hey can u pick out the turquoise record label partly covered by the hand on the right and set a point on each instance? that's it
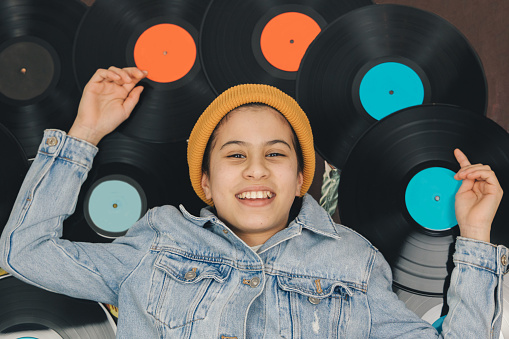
(430, 196)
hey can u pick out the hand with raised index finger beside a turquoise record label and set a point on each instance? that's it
(477, 199)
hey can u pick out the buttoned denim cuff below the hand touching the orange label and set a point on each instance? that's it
(56, 143)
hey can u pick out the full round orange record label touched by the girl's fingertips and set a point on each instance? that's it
(166, 51)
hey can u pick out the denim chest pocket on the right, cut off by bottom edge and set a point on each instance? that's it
(313, 307)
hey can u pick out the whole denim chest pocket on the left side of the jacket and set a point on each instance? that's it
(182, 290)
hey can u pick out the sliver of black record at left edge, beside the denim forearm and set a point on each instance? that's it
(12, 172)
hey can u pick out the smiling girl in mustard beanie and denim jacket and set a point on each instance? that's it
(263, 260)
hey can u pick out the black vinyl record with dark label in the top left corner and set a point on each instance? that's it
(37, 87)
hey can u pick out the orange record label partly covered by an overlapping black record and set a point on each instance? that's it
(285, 39)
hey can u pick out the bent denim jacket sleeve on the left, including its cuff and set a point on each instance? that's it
(30, 246)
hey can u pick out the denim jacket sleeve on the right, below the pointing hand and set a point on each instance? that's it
(474, 297)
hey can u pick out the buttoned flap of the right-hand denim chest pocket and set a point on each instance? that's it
(314, 287)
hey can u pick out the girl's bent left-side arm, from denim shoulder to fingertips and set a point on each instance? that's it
(30, 246)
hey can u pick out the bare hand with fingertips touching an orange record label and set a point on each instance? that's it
(108, 99)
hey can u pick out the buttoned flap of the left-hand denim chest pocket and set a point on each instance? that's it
(188, 270)
